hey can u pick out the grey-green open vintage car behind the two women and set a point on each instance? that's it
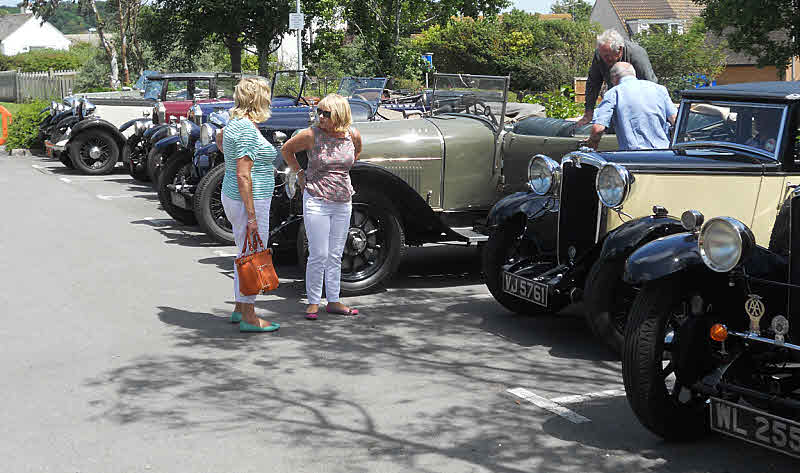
(420, 181)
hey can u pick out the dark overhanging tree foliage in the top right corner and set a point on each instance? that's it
(764, 29)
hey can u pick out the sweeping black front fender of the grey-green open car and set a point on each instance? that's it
(415, 214)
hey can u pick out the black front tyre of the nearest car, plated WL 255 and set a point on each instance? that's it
(644, 372)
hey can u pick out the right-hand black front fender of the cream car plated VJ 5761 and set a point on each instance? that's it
(623, 240)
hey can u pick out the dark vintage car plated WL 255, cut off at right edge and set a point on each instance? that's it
(712, 341)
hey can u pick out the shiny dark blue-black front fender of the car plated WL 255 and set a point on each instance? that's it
(662, 257)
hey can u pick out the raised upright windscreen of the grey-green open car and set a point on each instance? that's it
(474, 95)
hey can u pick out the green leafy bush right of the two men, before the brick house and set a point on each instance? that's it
(680, 59)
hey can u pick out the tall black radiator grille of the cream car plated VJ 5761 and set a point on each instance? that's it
(578, 212)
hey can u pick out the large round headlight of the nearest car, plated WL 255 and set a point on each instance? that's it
(724, 242)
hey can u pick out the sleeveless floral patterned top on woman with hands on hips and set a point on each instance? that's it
(329, 163)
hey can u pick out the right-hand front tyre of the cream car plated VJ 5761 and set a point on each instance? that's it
(607, 299)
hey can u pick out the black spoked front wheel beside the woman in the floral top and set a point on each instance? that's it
(367, 264)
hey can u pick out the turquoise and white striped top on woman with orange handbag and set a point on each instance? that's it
(241, 138)
